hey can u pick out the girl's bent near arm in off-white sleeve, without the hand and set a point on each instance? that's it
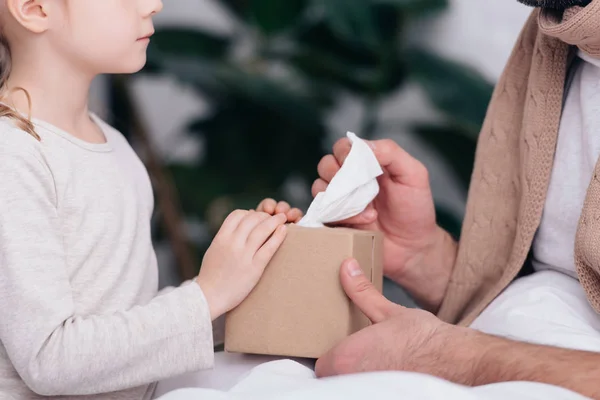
(55, 350)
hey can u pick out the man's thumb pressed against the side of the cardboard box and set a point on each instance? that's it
(362, 292)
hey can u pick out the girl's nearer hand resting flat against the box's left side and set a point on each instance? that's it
(237, 257)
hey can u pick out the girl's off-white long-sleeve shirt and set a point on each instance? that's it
(79, 309)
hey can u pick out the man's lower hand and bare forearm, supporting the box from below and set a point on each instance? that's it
(404, 339)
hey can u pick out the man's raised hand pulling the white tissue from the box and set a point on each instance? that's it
(418, 254)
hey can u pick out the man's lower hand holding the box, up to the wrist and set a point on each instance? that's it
(400, 339)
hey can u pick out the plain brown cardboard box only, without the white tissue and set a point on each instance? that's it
(299, 308)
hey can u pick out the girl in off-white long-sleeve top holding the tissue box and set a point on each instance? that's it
(79, 309)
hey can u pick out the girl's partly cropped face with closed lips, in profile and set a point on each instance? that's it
(102, 36)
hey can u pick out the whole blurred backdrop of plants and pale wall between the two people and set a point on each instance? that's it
(241, 98)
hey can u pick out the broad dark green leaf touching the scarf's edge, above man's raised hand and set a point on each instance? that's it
(455, 89)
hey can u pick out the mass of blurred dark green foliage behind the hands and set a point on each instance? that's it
(271, 83)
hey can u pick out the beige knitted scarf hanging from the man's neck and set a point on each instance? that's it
(513, 164)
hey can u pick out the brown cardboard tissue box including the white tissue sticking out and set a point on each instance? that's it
(299, 308)
